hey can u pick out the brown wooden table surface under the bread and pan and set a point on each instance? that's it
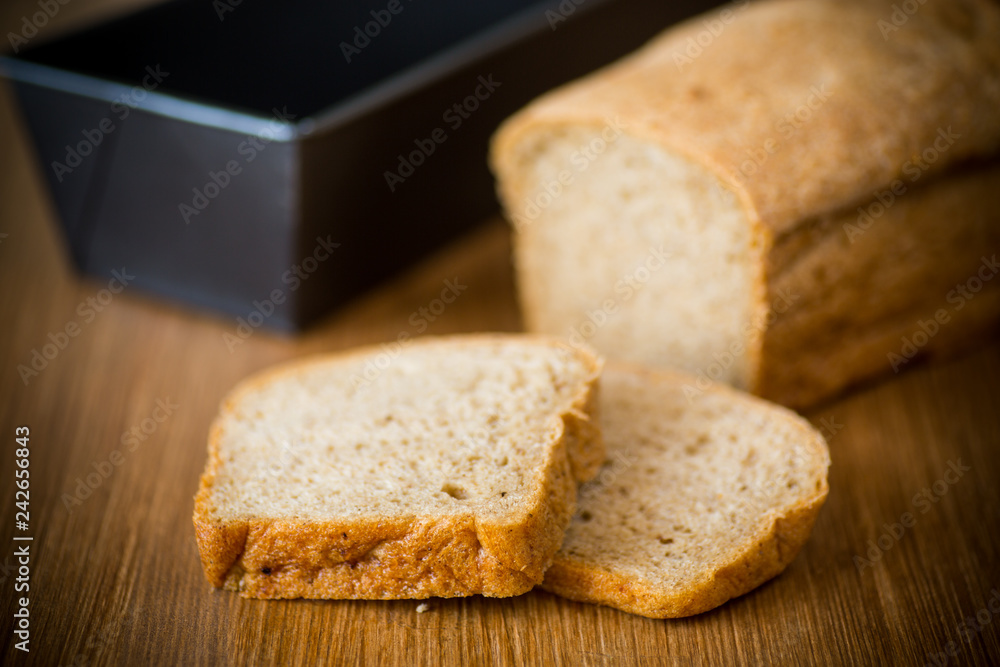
(115, 579)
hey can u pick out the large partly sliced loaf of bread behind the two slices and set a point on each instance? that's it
(790, 196)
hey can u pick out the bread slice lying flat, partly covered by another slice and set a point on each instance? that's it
(699, 501)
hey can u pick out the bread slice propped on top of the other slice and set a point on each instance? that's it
(446, 467)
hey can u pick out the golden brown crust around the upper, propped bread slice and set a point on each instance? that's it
(399, 557)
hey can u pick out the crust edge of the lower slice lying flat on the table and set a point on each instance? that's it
(778, 539)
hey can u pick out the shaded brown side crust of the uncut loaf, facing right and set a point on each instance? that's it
(863, 284)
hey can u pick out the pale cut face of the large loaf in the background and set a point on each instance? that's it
(636, 250)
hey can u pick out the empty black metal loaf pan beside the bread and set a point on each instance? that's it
(270, 160)
